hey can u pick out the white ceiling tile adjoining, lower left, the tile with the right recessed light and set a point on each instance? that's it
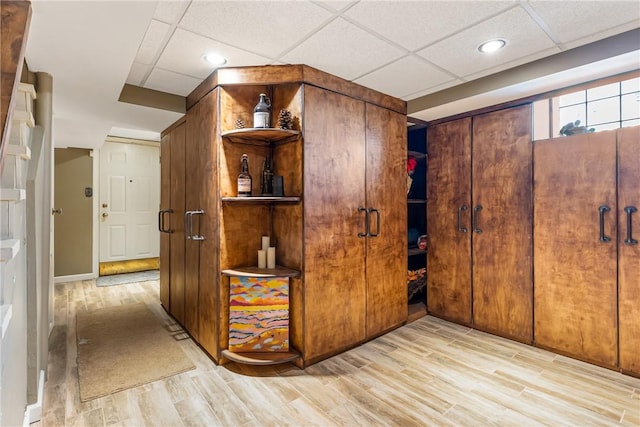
(417, 75)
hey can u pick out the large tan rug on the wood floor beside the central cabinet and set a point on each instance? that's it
(123, 347)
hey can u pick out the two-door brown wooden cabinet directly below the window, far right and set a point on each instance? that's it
(586, 293)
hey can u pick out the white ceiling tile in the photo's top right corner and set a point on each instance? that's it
(569, 21)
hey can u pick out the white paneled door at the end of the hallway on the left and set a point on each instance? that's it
(129, 201)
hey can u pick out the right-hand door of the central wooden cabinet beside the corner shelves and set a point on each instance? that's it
(386, 277)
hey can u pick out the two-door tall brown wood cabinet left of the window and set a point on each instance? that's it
(479, 222)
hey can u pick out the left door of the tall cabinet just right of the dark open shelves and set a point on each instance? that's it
(449, 196)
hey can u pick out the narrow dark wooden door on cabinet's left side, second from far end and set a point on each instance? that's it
(177, 224)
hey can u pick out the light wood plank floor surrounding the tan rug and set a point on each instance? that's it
(429, 372)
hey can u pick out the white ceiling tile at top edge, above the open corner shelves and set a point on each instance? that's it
(267, 28)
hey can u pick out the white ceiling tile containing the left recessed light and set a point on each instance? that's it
(185, 50)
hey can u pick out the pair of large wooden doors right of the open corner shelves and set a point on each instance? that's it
(356, 287)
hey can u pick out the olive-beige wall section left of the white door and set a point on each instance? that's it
(74, 227)
